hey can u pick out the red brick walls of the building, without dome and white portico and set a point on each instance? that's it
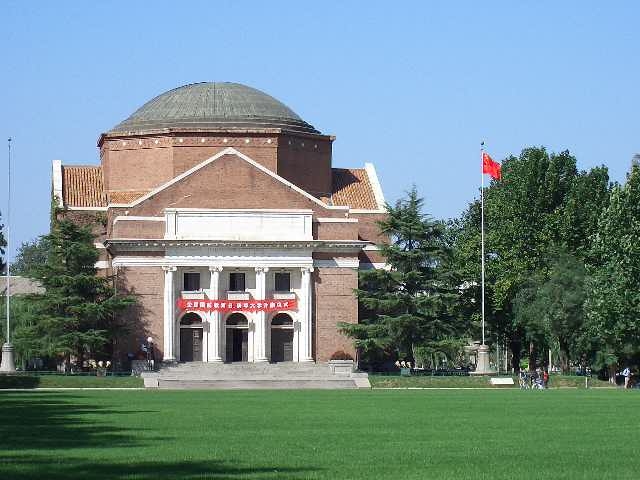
(231, 169)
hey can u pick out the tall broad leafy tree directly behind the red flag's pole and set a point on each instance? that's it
(541, 206)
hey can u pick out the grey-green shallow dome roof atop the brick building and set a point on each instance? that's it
(211, 105)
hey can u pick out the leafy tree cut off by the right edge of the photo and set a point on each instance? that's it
(612, 331)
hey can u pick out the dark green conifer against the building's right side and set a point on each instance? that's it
(413, 303)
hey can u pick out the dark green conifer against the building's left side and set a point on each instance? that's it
(79, 311)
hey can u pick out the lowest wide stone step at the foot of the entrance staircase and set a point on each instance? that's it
(248, 384)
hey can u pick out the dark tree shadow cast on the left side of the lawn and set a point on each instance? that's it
(37, 430)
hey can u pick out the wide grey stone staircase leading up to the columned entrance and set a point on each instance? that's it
(286, 375)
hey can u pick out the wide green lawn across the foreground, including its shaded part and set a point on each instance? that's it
(437, 434)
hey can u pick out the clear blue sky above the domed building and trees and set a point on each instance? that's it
(412, 87)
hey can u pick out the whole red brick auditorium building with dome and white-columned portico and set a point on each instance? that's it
(218, 207)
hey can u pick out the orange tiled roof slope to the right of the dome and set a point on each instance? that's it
(352, 188)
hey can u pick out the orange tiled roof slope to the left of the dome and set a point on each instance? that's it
(82, 186)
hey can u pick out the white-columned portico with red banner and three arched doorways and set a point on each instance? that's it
(245, 288)
